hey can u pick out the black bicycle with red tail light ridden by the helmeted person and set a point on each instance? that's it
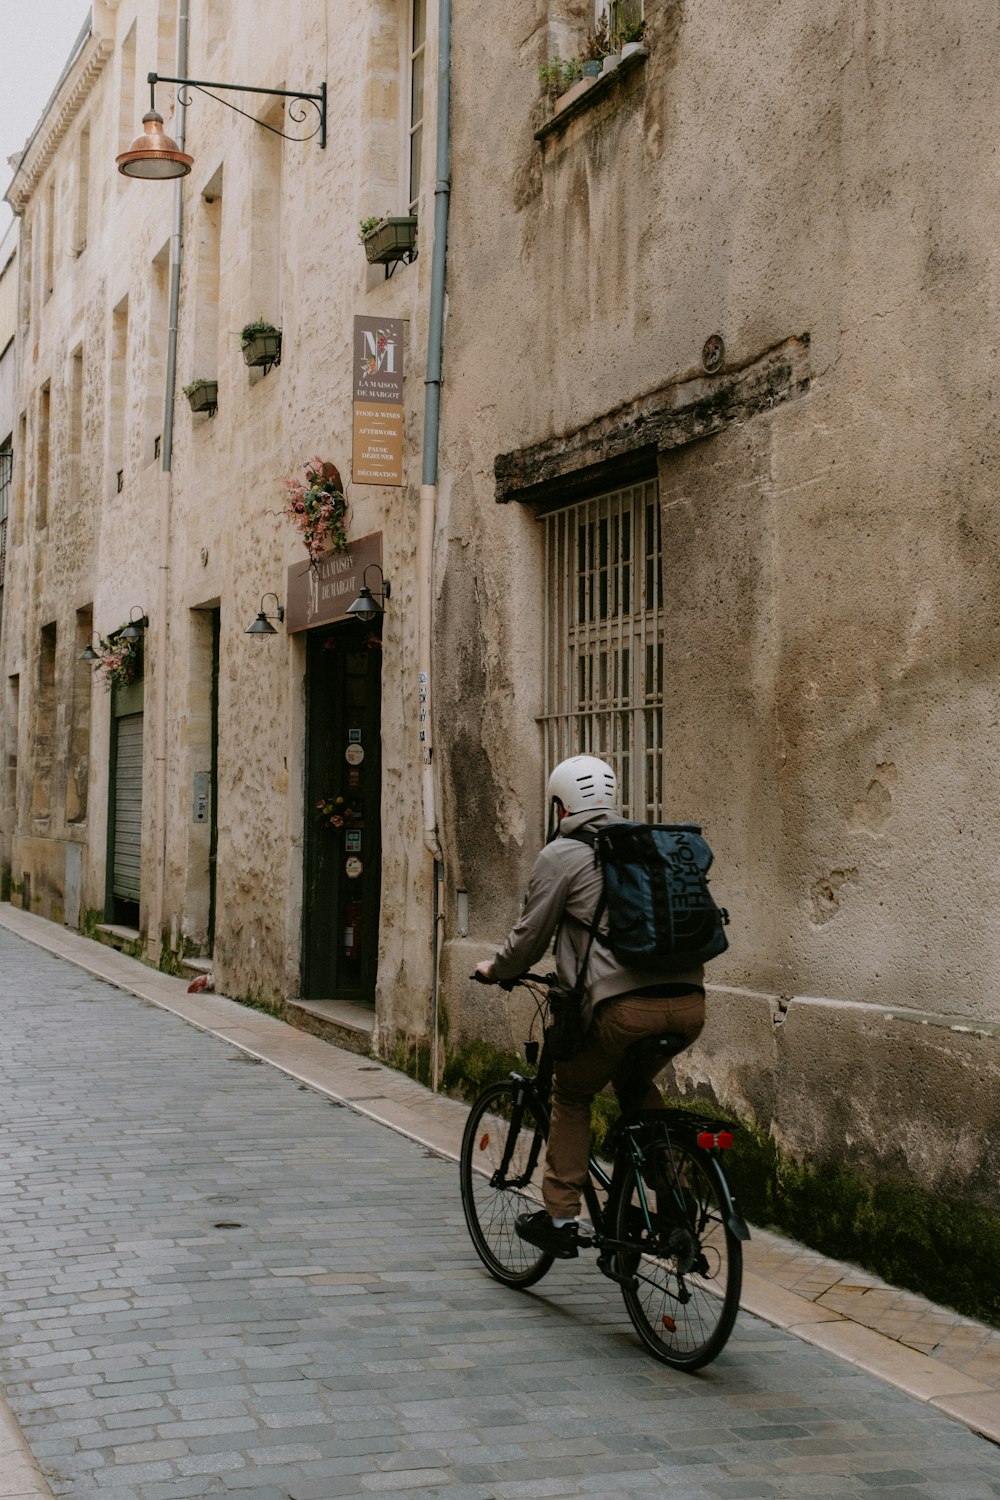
(663, 1222)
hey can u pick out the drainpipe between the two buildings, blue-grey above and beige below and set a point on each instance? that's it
(430, 497)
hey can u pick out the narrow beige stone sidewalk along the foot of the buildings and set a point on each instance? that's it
(951, 1364)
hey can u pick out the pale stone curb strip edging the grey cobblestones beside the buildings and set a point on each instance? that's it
(431, 1120)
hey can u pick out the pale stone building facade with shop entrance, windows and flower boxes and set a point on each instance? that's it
(178, 814)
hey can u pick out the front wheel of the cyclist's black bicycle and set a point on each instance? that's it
(501, 1162)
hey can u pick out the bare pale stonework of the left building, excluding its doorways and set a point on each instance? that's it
(269, 230)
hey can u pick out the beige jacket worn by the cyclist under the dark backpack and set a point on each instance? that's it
(567, 883)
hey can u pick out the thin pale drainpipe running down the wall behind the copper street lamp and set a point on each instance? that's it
(163, 593)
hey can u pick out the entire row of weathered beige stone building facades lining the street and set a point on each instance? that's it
(714, 499)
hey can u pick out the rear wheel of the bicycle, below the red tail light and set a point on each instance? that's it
(687, 1264)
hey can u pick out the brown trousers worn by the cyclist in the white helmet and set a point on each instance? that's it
(617, 1024)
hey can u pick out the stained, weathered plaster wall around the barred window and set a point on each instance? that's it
(830, 563)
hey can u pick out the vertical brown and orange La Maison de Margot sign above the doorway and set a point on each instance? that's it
(379, 401)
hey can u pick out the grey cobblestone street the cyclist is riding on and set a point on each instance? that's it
(217, 1280)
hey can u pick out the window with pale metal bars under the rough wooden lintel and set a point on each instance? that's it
(603, 659)
